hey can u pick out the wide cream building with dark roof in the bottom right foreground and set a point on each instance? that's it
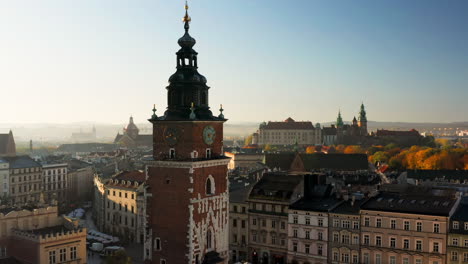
(406, 228)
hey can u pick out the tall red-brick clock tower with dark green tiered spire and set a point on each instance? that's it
(187, 194)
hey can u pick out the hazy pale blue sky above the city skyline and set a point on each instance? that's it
(65, 61)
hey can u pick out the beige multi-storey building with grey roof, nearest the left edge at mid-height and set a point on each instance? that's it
(25, 179)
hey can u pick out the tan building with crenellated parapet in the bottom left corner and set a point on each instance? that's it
(40, 235)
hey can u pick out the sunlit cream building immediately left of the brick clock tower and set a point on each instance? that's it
(120, 202)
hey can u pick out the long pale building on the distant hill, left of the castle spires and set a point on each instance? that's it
(288, 132)
